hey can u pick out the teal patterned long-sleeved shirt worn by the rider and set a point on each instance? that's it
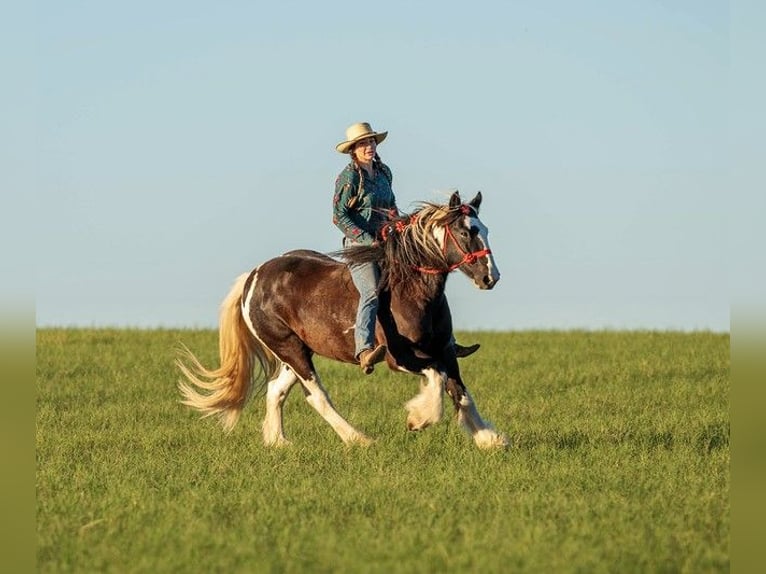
(360, 216)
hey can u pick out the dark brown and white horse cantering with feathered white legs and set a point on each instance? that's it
(303, 303)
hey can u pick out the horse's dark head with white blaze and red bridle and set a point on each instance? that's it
(465, 243)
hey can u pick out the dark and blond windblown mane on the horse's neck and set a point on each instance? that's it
(409, 245)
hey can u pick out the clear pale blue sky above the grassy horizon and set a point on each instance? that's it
(179, 144)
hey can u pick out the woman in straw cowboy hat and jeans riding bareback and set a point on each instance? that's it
(362, 204)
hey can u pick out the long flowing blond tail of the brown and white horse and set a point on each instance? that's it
(224, 391)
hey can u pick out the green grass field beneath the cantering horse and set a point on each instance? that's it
(619, 462)
